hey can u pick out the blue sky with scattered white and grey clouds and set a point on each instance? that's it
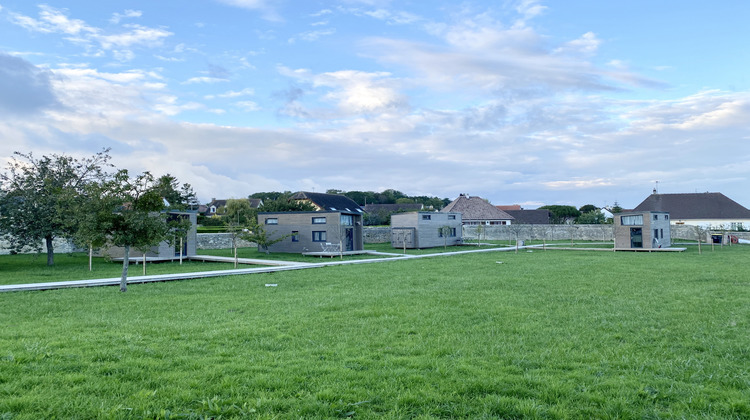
(520, 102)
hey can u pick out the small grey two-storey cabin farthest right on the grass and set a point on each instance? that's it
(642, 230)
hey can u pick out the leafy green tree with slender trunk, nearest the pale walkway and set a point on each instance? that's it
(127, 212)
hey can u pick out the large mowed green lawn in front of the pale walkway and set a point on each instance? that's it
(553, 335)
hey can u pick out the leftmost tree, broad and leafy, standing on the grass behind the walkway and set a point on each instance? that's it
(41, 197)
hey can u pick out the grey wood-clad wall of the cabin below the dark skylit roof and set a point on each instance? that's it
(301, 222)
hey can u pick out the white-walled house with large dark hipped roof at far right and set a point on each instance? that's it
(708, 210)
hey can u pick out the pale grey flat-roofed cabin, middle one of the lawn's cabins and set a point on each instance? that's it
(425, 229)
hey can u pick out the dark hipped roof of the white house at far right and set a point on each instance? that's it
(707, 205)
